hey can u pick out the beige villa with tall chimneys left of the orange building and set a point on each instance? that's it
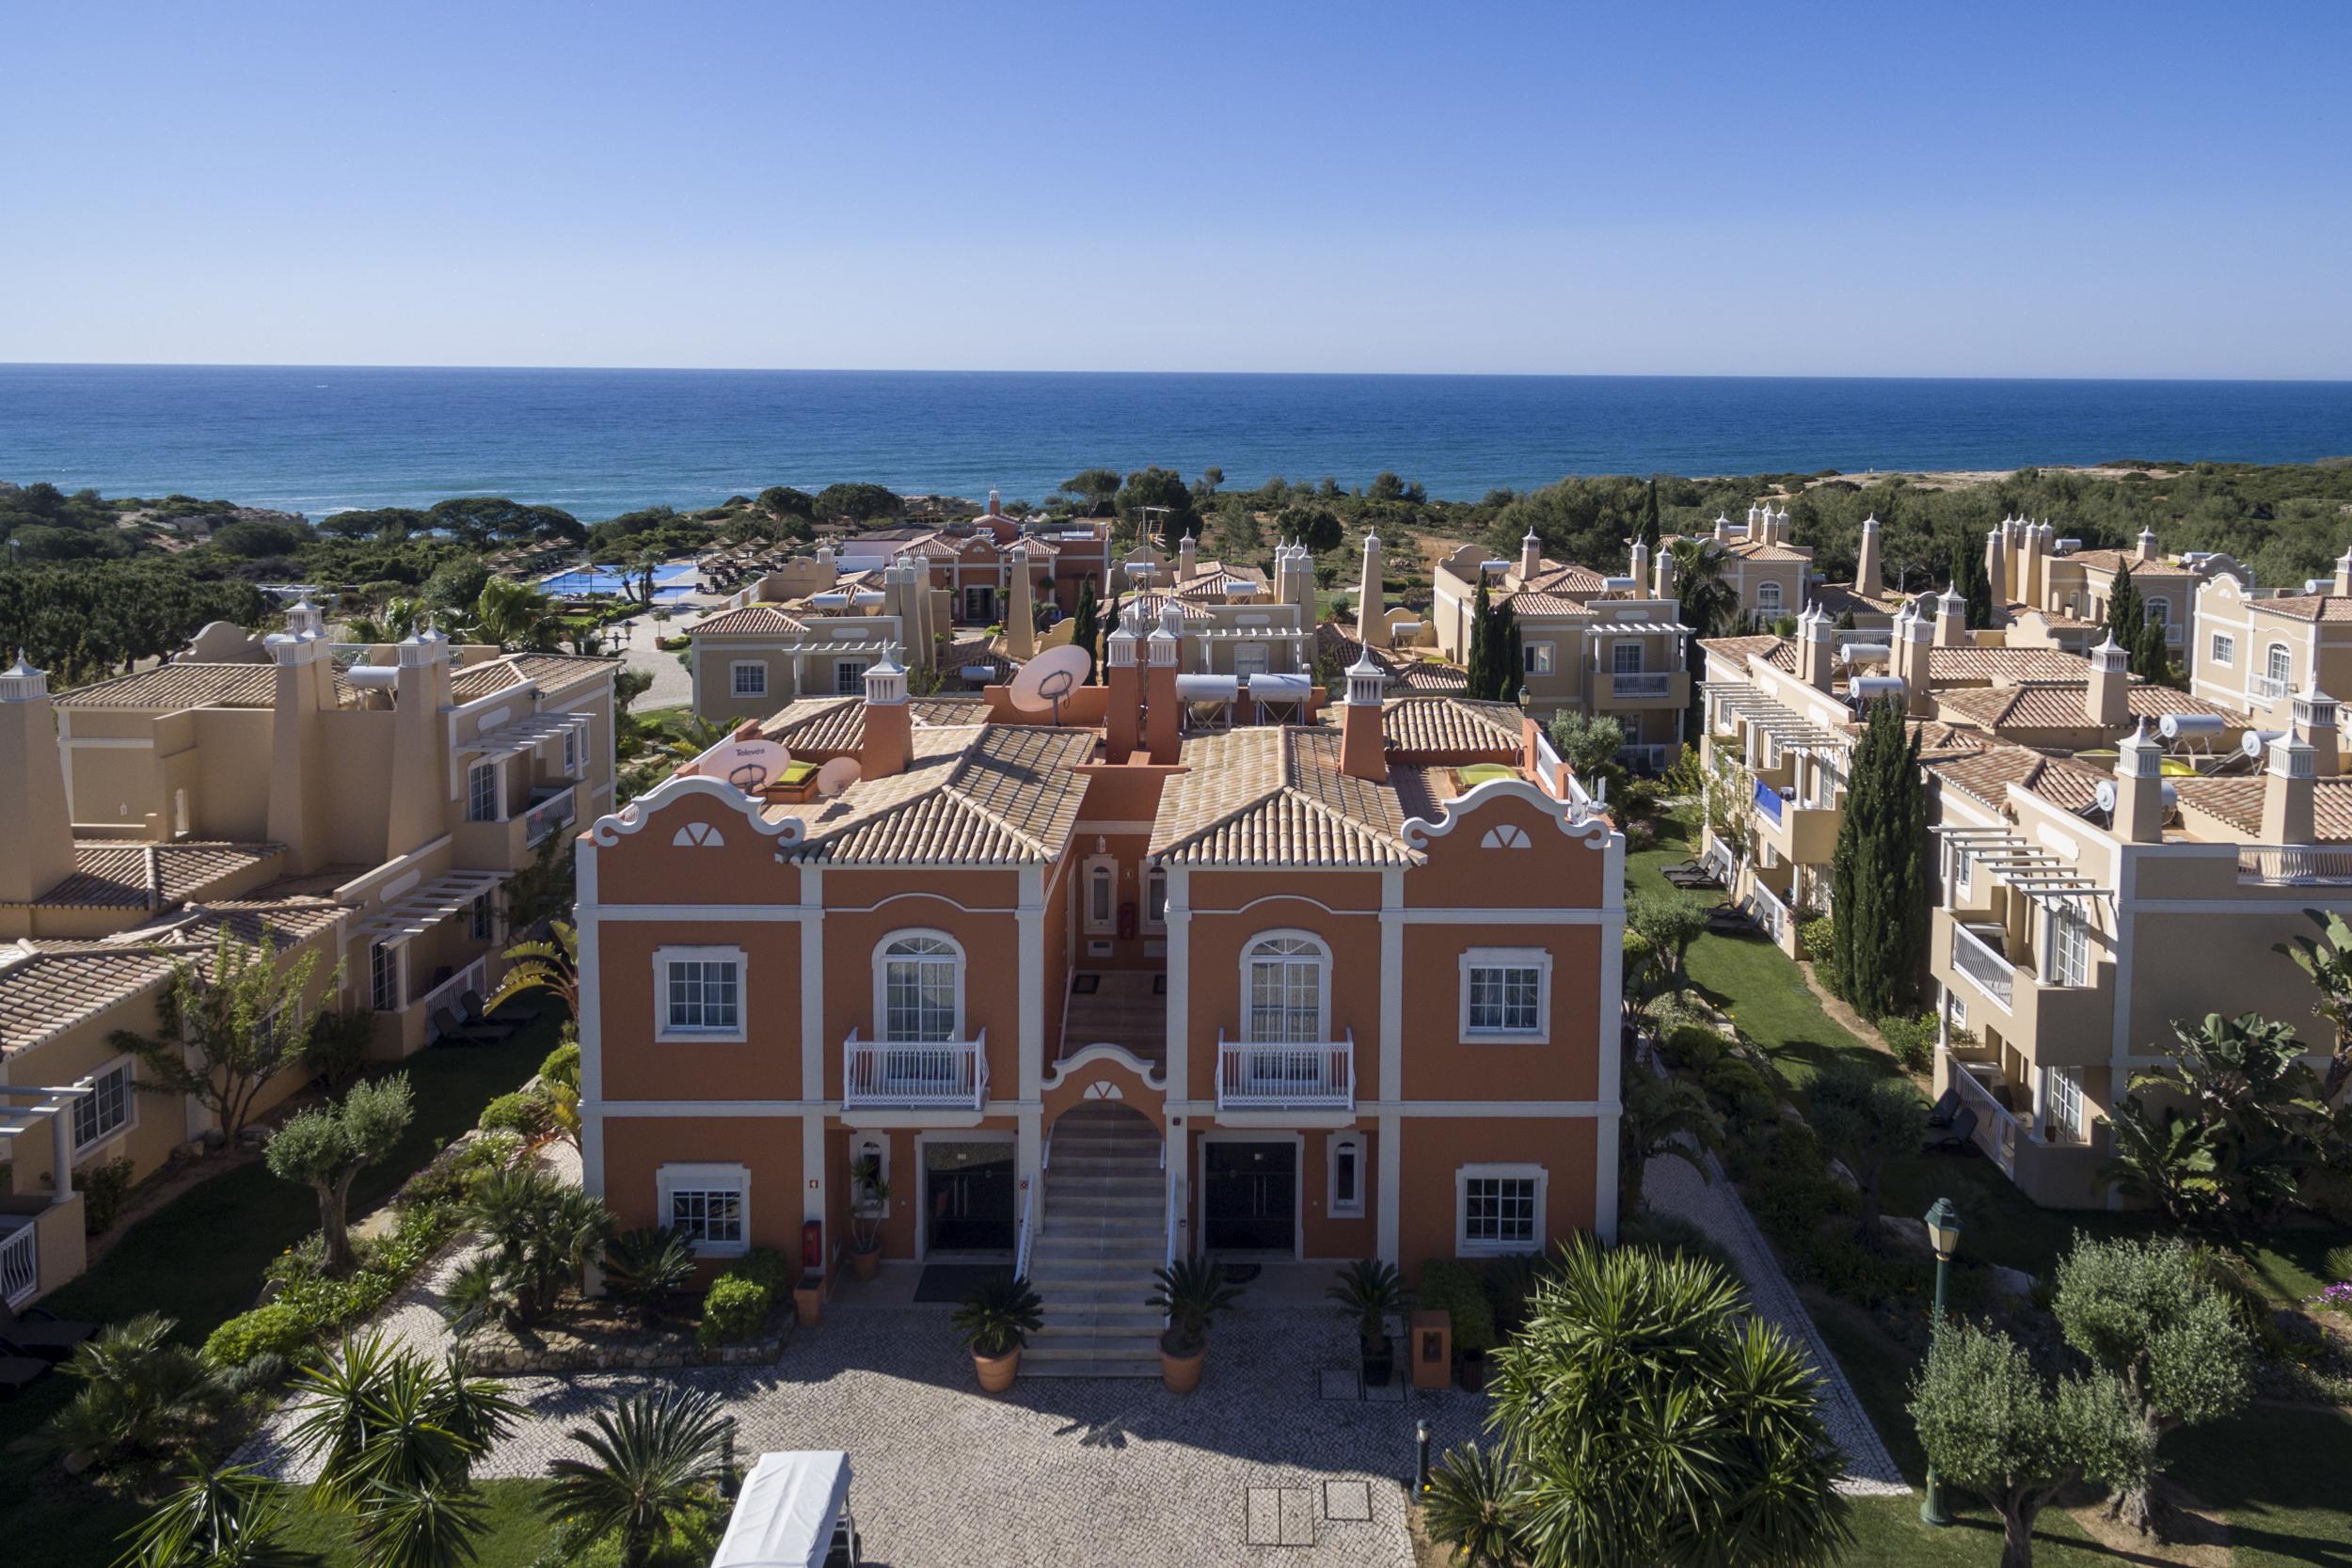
(359, 803)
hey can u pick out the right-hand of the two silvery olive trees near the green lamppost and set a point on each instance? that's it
(2151, 1315)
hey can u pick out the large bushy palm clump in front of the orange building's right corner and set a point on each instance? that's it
(1650, 1419)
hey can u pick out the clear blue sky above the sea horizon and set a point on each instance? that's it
(1617, 189)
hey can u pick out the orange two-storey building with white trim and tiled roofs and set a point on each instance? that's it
(1147, 984)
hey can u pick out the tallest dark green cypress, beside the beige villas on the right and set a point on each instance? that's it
(1878, 871)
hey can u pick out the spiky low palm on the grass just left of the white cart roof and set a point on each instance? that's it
(653, 1463)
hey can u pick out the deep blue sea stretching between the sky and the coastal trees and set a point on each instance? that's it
(608, 441)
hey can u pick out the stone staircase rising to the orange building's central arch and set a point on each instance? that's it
(1102, 1231)
